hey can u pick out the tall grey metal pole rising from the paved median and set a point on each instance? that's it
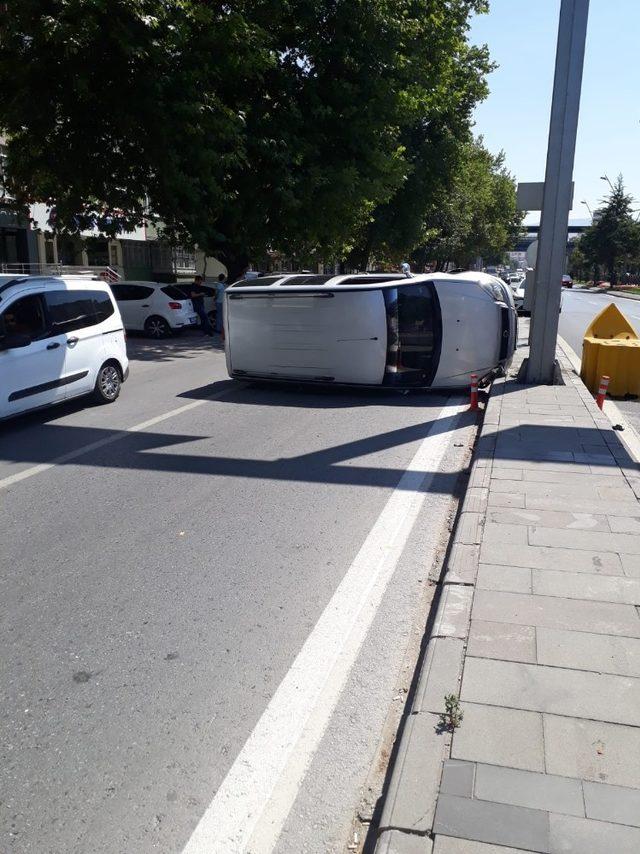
(556, 203)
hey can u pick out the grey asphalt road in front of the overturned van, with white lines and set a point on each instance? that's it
(212, 598)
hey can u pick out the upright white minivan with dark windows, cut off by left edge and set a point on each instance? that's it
(58, 340)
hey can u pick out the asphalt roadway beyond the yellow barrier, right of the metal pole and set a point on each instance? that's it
(578, 310)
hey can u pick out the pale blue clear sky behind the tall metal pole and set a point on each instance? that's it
(521, 36)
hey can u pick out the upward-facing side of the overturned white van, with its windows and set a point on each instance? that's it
(285, 281)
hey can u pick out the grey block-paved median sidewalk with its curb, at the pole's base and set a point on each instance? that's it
(538, 633)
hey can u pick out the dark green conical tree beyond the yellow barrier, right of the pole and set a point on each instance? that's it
(614, 239)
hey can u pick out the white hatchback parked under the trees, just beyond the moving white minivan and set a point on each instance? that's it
(158, 309)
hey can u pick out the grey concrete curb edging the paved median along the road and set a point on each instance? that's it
(410, 798)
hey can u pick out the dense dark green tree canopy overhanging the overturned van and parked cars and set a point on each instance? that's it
(262, 124)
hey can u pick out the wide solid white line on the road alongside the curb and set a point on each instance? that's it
(249, 809)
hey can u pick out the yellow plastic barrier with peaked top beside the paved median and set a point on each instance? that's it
(611, 346)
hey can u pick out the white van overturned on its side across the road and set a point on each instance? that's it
(378, 330)
